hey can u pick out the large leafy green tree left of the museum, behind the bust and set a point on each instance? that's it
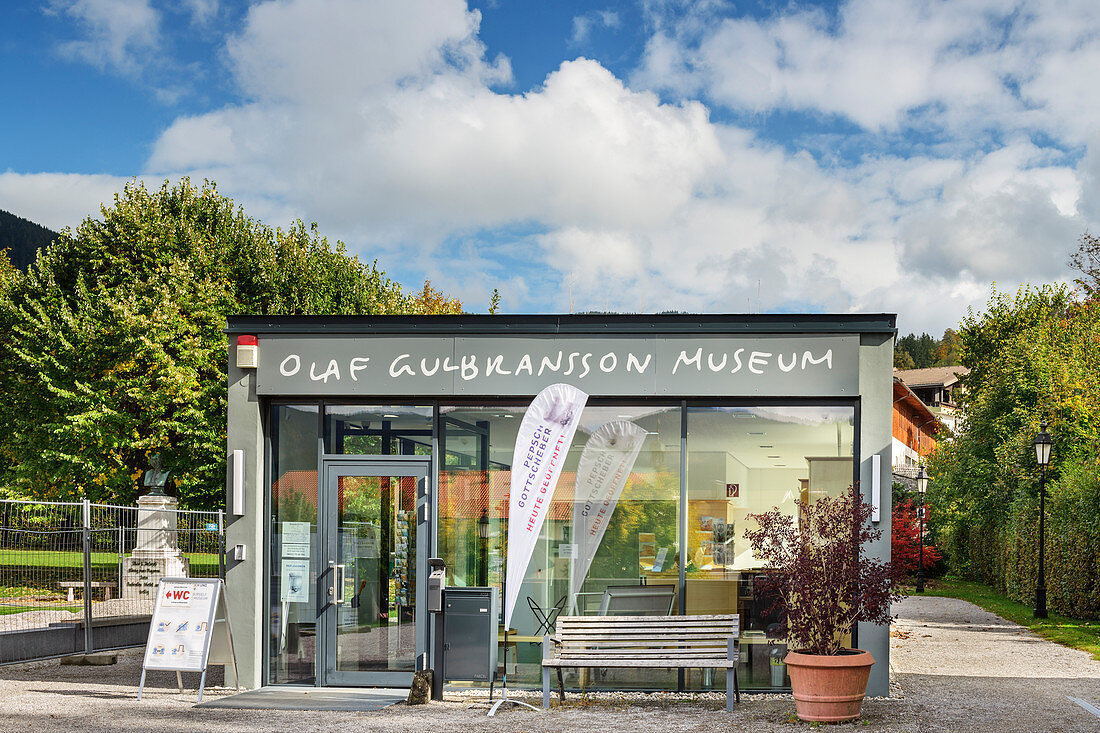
(113, 346)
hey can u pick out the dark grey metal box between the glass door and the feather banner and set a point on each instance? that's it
(470, 634)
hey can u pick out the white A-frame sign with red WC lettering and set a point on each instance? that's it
(190, 629)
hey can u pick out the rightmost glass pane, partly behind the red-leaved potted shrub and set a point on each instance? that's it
(747, 461)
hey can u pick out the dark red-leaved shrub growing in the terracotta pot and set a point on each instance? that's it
(818, 574)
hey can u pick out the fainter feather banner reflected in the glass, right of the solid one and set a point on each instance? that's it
(606, 466)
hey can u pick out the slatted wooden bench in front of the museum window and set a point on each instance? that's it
(640, 642)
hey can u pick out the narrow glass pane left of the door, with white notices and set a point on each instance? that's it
(292, 644)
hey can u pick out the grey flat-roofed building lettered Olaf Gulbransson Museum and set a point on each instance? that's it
(359, 447)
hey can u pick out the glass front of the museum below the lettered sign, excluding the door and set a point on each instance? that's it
(668, 538)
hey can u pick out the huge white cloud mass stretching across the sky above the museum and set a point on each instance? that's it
(387, 124)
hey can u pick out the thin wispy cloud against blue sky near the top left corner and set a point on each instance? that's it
(118, 35)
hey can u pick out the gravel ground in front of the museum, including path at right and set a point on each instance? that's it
(955, 668)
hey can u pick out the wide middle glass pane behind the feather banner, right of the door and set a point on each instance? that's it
(635, 541)
